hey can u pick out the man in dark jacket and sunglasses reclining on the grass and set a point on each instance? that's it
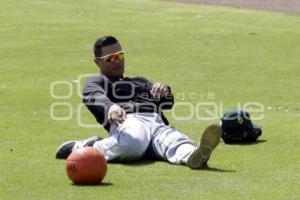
(130, 109)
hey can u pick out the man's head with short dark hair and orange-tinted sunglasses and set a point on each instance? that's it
(109, 56)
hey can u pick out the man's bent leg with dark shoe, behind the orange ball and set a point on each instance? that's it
(127, 141)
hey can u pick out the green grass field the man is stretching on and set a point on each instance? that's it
(239, 56)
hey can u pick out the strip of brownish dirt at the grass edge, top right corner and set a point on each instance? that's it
(292, 6)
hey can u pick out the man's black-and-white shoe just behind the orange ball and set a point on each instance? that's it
(65, 149)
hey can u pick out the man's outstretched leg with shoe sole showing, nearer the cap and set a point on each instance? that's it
(173, 146)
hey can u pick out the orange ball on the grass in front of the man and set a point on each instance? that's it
(86, 166)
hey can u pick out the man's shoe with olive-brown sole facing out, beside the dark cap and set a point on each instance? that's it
(209, 140)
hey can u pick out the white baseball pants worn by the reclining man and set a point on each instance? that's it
(141, 132)
